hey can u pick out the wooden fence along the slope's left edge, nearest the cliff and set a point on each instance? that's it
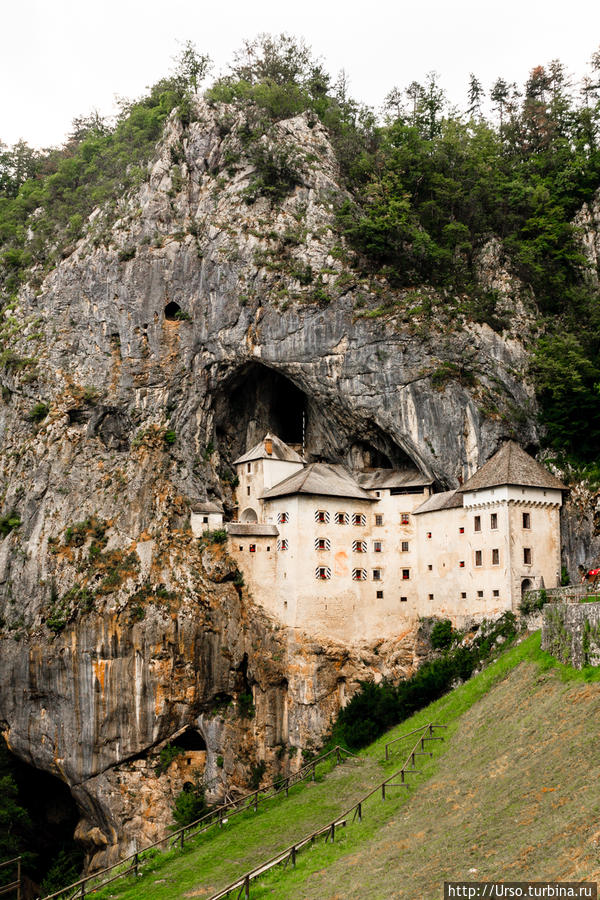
(218, 816)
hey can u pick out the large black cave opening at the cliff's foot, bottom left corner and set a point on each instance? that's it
(43, 816)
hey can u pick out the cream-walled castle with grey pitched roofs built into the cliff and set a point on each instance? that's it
(358, 557)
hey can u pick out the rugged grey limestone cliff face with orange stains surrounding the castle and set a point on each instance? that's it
(168, 342)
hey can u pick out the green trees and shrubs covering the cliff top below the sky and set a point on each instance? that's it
(425, 189)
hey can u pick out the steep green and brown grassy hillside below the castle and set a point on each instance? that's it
(508, 793)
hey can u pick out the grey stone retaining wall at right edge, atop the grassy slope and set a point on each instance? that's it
(571, 633)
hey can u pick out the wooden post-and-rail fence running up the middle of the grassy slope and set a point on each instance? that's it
(242, 883)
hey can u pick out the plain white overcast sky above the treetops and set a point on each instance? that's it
(63, 58)
